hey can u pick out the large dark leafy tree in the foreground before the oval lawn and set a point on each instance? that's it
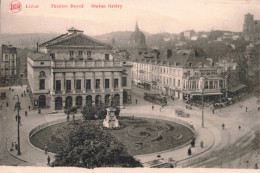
(90, 146)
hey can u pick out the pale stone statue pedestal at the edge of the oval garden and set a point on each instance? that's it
(110, 121)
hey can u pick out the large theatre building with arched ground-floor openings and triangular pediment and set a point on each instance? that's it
(74, 69)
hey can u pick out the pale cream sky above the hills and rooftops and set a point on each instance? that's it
(153, 16)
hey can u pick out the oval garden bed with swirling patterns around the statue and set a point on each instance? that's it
(139, 135)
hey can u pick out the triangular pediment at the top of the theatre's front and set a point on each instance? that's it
(80, 40)
